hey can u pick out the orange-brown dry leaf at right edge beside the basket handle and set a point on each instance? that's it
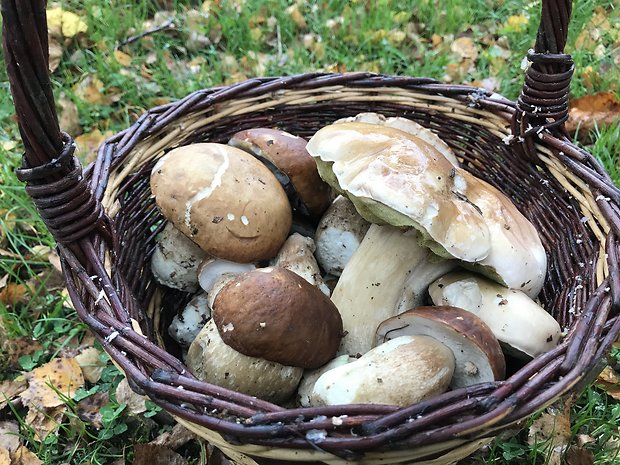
(597, 109)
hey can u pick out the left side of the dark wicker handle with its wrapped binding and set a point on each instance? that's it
(53, 175)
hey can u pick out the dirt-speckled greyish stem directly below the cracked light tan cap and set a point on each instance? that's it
(176, 259)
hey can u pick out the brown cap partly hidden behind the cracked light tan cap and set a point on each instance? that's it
(288, 153)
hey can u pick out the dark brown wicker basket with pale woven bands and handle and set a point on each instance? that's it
(105, 221)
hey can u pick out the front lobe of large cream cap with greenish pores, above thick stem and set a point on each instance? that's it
(395, 178)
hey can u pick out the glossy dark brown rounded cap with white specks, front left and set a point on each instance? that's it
(274, 314)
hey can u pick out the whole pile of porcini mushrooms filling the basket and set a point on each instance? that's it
(362, 266)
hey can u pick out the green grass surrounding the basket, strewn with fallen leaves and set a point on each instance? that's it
(347, 35)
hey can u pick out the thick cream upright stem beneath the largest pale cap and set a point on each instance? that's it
(374, 283)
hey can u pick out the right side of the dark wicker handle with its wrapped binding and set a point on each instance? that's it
(543, 103)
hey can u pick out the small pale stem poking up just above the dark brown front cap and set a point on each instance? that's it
(297, 255)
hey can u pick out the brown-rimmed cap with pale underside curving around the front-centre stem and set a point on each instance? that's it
(477, 352)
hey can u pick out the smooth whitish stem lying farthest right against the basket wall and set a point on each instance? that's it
(523, 328)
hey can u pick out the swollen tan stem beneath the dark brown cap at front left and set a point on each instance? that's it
(211, 360)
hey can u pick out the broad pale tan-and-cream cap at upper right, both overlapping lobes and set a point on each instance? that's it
(393, 177)
